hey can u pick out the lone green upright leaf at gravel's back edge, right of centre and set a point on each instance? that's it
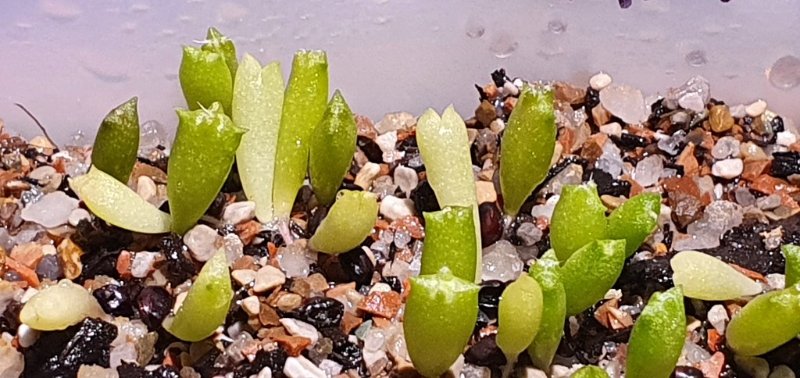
(527, 147)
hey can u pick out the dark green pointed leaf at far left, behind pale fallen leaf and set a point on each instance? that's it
(117, 142)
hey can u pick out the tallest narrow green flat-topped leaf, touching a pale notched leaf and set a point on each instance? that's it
(303, 106)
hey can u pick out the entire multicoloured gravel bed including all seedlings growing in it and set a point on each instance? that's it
(566, 229)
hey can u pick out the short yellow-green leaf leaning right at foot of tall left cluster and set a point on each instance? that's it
(348, 223)
